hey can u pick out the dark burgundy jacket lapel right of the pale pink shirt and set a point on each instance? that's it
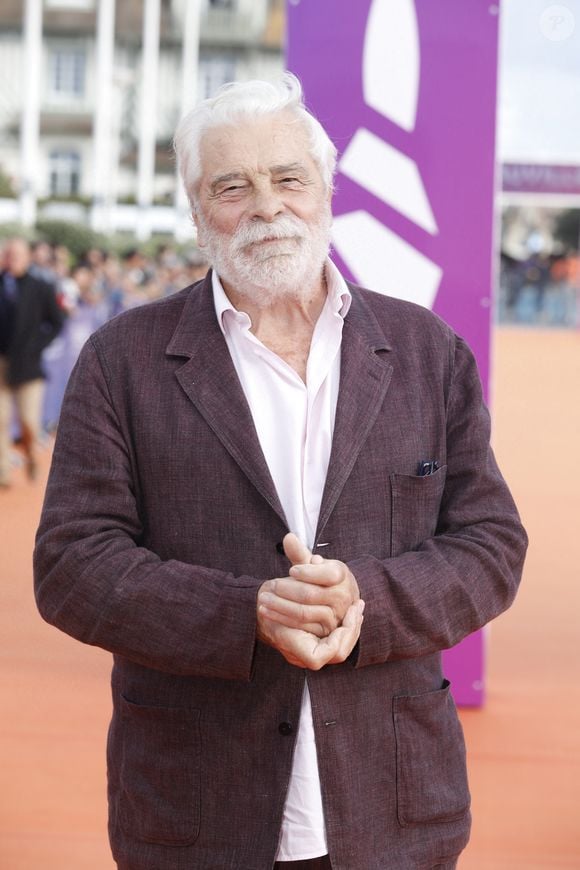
(365, 375)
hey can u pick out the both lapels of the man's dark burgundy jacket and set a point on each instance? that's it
(209, 379)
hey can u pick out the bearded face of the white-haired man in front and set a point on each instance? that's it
(263, 214)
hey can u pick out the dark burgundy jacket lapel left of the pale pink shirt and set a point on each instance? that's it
(209, 379)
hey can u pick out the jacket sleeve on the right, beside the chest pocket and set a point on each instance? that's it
(453, 582)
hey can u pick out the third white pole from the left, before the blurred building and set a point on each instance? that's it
(148, 105)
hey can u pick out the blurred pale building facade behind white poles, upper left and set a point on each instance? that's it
(91, 92)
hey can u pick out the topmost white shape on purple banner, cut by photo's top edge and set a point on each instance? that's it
(391, 61)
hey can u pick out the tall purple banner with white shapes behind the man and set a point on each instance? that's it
(407, 91)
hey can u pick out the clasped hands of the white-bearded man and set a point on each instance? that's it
(314, 616)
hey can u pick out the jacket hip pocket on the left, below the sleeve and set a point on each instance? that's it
(159, 773)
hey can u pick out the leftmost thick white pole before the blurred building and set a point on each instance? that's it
(30, 122)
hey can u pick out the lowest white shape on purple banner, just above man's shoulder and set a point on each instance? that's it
(382, 261)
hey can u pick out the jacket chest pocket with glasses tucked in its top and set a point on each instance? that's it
(415, 505)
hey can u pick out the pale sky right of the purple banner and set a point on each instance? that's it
(539, 92)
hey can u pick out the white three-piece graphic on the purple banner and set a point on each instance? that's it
(375, 255)
